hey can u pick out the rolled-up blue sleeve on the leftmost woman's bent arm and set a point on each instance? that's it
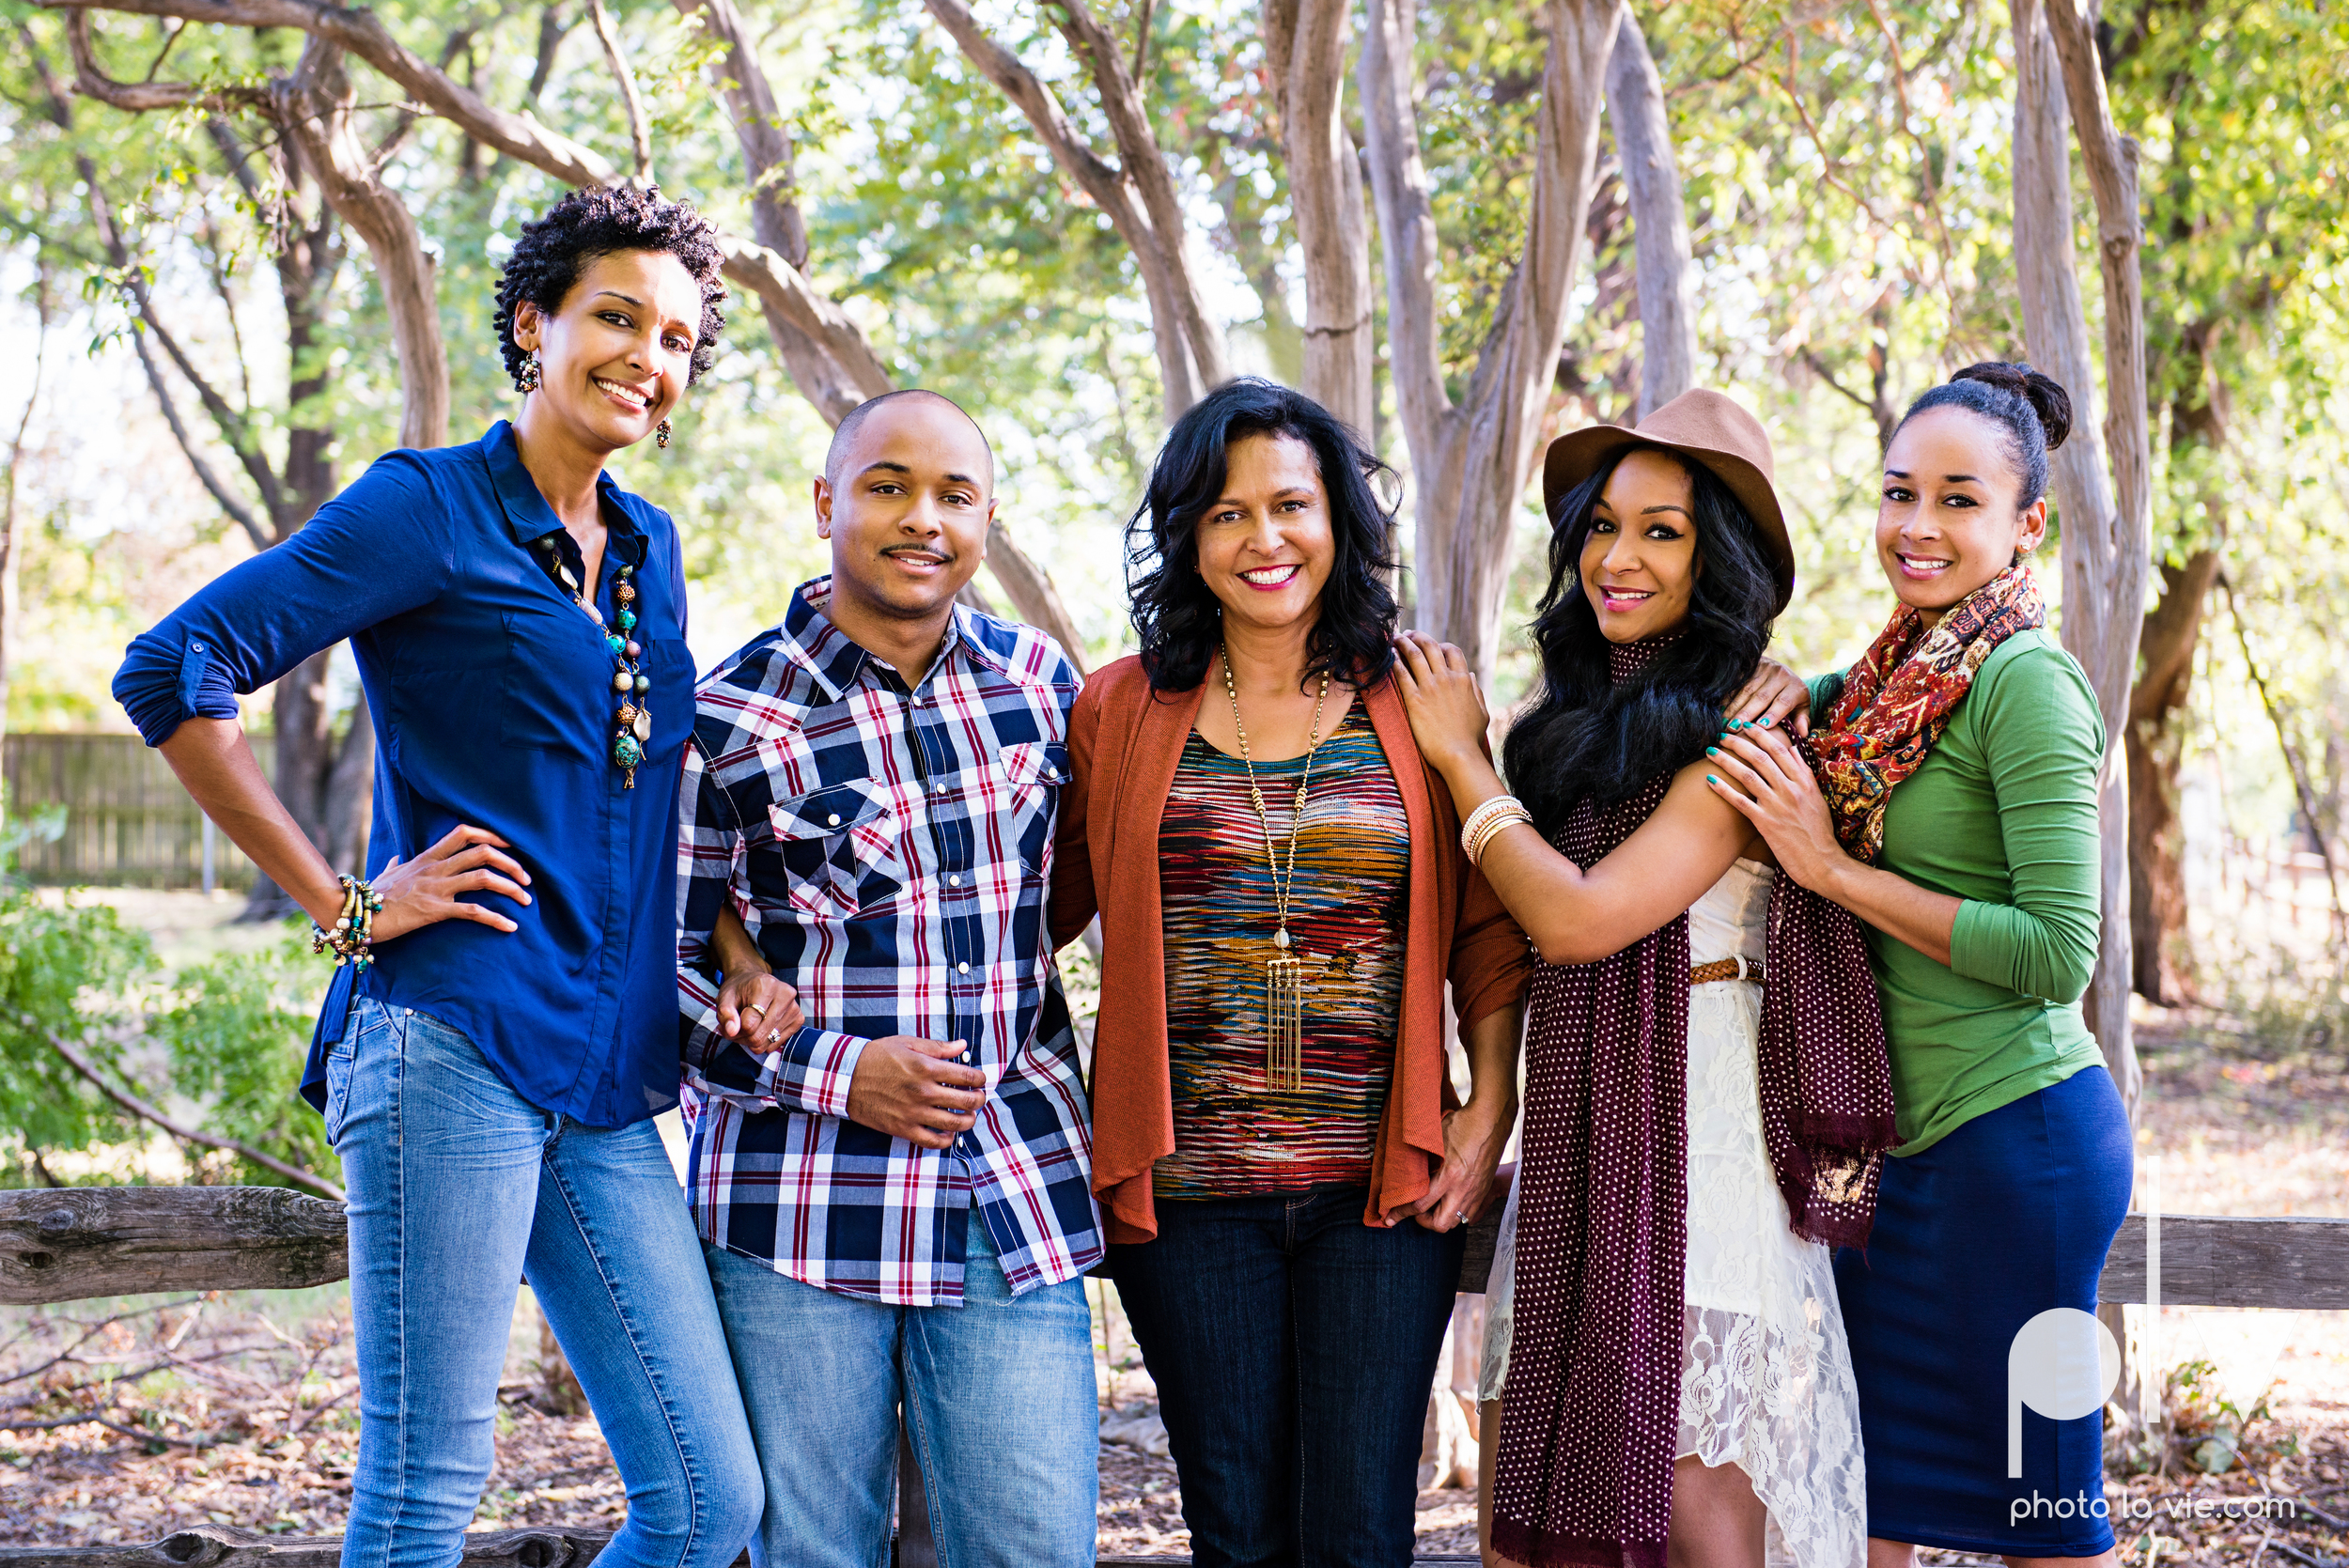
(368, 555)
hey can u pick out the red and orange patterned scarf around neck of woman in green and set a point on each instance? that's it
(1899, 698)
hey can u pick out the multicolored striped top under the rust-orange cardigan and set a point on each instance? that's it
(1347, 914)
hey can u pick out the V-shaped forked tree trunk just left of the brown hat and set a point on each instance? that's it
(1474, 454)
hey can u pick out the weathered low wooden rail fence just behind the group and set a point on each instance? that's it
(79, 1243)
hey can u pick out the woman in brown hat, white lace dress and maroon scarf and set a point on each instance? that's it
(1707, 1086)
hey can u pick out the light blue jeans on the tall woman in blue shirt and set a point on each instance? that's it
(457, 1191)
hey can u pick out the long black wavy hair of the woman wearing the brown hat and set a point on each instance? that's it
(1589, 738)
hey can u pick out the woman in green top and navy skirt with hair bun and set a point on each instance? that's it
(1956, 813)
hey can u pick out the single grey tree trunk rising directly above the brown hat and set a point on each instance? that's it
(1660, 219)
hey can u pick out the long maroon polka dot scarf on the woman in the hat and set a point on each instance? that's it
(1591, 1412)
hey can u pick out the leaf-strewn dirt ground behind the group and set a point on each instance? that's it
(126, 1421)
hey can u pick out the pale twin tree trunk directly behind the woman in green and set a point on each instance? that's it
(2106, 532)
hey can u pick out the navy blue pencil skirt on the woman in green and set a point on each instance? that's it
(2000, 1222)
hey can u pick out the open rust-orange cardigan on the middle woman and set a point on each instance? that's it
(1124, 748)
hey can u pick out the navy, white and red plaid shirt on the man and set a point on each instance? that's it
(889, 851)
